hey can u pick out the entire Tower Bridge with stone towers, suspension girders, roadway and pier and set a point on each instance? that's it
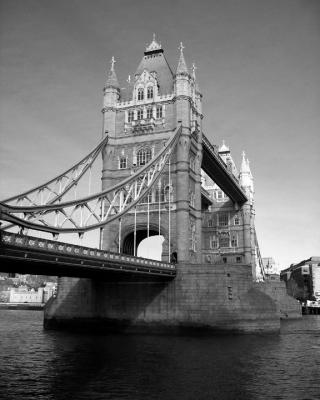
(161, 176)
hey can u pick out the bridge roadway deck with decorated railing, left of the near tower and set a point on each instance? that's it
(30, 255)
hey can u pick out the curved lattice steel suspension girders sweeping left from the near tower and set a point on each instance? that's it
(94, 211)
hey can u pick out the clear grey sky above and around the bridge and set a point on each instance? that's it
(258, 68)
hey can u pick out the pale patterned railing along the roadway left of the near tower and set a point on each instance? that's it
(30, 242)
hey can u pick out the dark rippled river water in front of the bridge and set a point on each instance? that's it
(38, 364)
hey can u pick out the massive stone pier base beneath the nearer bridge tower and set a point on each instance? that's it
(202, 298)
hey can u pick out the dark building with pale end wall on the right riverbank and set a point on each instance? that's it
(303, 279)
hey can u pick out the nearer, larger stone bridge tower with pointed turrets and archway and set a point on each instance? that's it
(139, 119)
